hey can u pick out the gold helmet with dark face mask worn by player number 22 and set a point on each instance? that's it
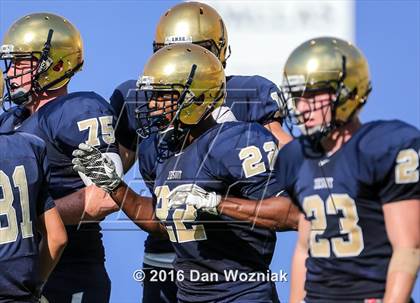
(189, 78)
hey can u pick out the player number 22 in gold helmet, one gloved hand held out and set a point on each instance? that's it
(184, 83)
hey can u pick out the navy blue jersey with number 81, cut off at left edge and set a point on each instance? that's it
(24, 197)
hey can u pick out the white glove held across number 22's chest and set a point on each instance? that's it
(192, 194)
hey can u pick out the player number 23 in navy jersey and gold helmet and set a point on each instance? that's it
(356, 184)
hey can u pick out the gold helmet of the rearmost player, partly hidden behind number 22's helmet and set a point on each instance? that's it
(193, 22)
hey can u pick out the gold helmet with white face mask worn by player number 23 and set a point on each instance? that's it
(331, 65)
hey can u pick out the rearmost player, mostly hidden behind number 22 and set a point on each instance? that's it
(249, 99)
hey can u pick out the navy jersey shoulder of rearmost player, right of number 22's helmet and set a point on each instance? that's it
(253, 99)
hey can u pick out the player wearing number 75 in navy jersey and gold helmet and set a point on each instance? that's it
(41, 52)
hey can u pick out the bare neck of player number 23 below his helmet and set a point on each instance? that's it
(340, 136)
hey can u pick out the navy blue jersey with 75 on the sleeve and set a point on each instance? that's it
(63, 124)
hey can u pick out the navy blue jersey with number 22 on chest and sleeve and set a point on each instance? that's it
(233, 158)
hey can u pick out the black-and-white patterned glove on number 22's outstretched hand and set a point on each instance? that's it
(96, 166)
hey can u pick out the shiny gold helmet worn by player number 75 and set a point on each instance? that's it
(52, 45)
